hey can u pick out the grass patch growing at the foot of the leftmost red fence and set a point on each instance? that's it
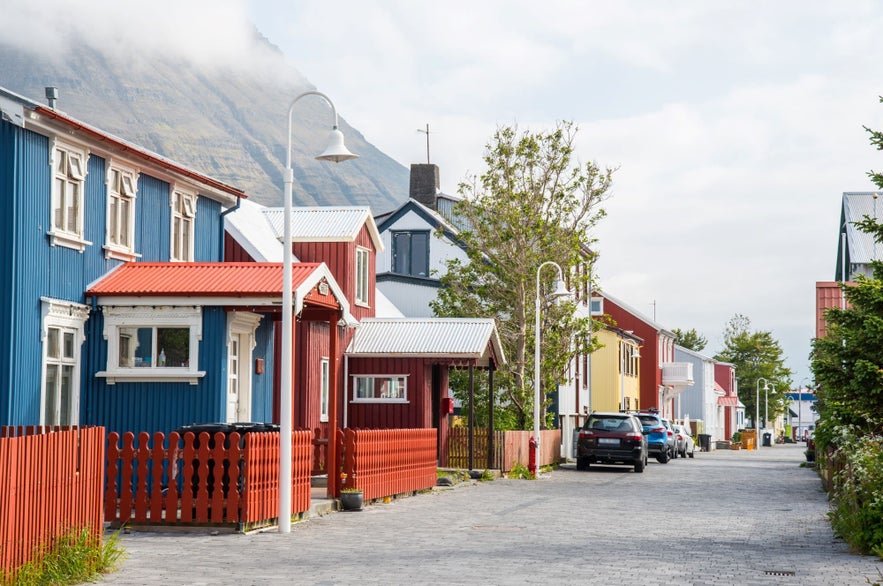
(73, 558)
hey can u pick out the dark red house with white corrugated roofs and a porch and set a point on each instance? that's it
(395, 373)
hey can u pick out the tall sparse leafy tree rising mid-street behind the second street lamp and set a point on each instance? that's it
(533, 203)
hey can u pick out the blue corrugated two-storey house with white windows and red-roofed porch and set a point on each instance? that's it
(80, 206)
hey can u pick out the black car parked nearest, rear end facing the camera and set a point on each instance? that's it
(612, 438)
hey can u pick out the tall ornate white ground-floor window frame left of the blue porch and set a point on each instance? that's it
(69, 317)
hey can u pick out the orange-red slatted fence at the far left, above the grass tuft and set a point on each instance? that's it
(50, 483)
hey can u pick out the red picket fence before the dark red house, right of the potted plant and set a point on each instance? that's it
(386, 462)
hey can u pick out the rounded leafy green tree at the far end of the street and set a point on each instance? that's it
(758, 358)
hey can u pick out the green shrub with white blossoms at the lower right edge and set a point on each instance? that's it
(857, 494)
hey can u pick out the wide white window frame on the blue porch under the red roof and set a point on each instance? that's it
(116, 318)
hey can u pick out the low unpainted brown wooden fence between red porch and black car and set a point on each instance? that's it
(510, 448)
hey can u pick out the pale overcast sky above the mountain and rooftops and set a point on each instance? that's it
(736, 125)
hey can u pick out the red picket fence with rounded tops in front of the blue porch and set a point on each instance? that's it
(218, 480)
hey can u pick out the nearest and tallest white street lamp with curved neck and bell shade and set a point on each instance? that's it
(335, 152)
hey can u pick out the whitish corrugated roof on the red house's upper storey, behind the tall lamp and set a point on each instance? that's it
(324, 223)
